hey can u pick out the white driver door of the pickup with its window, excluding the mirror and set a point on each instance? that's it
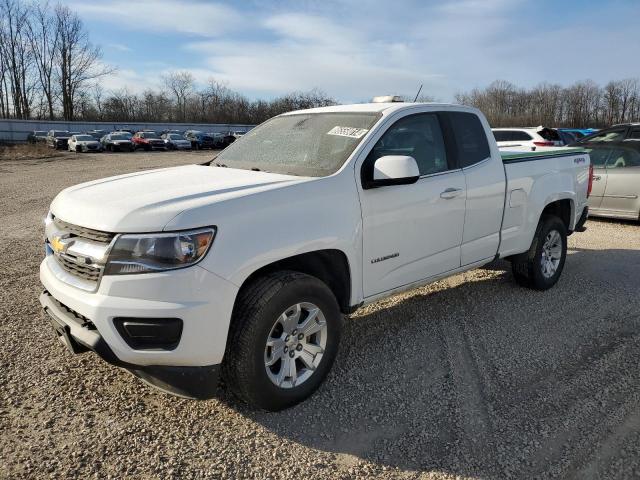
(412, 232)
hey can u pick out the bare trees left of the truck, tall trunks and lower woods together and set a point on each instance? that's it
(49, 69)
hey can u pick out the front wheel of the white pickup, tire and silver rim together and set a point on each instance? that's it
(283, 340)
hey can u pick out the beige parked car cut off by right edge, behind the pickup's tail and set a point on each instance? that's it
(616, 179)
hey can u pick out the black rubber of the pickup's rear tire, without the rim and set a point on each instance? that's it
(527, 267)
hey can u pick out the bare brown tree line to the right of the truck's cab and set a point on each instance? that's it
(581, 105)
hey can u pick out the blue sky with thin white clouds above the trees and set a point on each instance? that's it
(354, 50)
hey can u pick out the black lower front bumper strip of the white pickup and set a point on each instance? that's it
(80, 335)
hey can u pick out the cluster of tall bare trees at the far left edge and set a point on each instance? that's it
(46, 60)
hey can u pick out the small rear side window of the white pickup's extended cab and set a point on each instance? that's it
(470, 138)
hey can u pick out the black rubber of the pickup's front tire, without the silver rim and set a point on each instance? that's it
(258, 307)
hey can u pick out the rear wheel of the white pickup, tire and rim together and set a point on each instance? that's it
(541, 267)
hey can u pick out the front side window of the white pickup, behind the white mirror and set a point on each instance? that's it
(418, 136)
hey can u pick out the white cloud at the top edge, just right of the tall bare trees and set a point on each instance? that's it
(188, 17)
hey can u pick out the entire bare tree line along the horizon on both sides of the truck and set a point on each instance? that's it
(49, 69)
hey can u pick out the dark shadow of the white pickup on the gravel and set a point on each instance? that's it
(477, 376)
